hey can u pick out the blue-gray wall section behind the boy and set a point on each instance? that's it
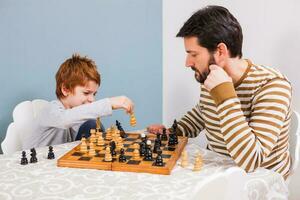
(124, 37)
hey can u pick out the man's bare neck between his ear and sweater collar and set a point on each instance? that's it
(236, 68)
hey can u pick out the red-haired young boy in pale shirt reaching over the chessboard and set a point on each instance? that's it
(77, 82)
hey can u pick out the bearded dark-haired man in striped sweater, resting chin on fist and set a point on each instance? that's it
(245, 108)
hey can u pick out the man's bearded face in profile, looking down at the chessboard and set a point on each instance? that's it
(198, 58)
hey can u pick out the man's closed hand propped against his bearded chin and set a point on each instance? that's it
(216, 76)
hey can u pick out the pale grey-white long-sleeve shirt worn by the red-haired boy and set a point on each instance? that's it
(57, 125)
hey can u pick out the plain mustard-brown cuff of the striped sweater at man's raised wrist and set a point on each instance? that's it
(222, 92)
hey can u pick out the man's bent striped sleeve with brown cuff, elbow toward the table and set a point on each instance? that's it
(250, 142)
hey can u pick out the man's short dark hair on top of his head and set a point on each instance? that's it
(213, 25)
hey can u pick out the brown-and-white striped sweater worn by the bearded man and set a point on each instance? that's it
(248, 121)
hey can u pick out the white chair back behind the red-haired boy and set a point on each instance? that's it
(24, 115)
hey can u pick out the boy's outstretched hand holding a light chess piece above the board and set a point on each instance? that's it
(122, 102)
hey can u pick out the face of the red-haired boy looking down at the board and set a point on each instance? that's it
(81, 95)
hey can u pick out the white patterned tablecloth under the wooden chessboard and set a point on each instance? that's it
(45, 181)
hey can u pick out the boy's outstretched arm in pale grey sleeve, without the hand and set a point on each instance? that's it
(57, 116)
